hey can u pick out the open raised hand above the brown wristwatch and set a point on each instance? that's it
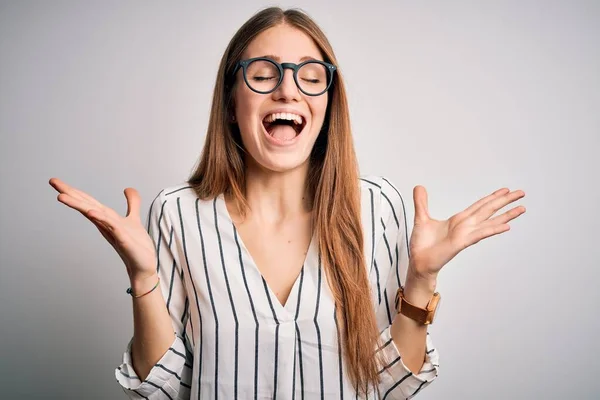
(433, 243)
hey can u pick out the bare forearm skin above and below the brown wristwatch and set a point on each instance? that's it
(410, 336)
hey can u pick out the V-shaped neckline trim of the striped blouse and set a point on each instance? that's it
(273, 299)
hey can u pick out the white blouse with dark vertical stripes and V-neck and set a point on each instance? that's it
(235, 340)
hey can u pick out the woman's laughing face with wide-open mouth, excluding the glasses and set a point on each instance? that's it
(279, 145)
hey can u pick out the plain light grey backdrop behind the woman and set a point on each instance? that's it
(463, 97)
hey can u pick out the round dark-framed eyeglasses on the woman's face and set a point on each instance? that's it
(264, 75)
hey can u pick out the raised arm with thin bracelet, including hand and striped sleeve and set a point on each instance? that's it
(157, 363)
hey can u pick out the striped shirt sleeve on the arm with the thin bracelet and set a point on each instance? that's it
(170, 377)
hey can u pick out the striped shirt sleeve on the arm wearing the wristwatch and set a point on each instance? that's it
(391, 263)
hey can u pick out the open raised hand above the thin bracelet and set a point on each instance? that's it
(126, 234)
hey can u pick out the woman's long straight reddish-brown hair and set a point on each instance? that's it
(332, 182)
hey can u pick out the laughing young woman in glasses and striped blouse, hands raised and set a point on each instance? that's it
(278, 269)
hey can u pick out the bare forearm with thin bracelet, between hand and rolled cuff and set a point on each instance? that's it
(152, 328)
